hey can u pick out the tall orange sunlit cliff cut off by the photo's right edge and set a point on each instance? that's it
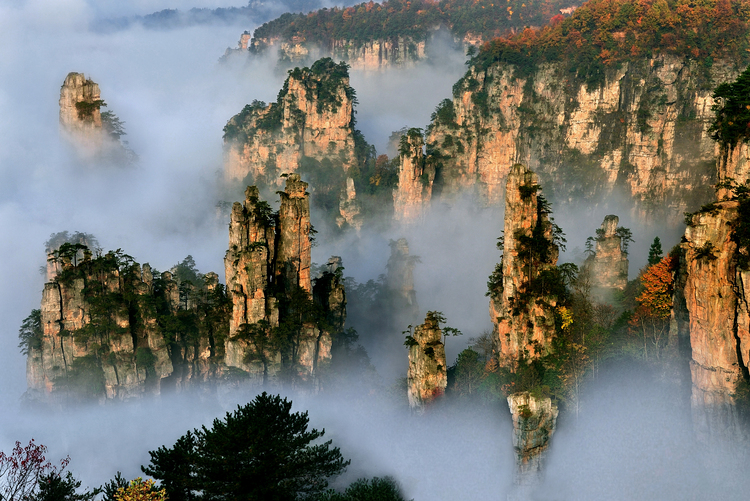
(716, 296)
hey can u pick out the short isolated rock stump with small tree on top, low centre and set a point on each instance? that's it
(427, 377)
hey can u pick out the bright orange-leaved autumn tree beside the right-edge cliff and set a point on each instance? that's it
(651, 318)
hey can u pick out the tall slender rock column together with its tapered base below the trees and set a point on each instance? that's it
(524, 320)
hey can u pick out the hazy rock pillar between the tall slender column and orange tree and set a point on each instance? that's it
(608, 265)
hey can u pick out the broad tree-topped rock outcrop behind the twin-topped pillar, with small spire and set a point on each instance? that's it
(310, 129)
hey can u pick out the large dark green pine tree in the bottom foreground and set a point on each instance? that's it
(268, 447)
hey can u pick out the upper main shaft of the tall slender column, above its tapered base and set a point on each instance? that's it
(524, 321)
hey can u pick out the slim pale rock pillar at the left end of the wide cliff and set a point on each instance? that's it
(415, 178)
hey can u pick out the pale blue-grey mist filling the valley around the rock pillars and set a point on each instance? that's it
(631, 440)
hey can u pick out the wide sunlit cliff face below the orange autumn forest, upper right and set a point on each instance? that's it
(642, 133)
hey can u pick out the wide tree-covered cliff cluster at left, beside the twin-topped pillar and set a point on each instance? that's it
(111, 330)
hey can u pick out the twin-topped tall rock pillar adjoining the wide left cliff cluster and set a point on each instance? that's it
(273, 331)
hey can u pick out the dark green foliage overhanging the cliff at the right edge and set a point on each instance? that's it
(731, 123)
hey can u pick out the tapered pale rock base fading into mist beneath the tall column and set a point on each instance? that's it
(534, 421)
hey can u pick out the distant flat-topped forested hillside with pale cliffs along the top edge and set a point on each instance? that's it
(397, 26)
